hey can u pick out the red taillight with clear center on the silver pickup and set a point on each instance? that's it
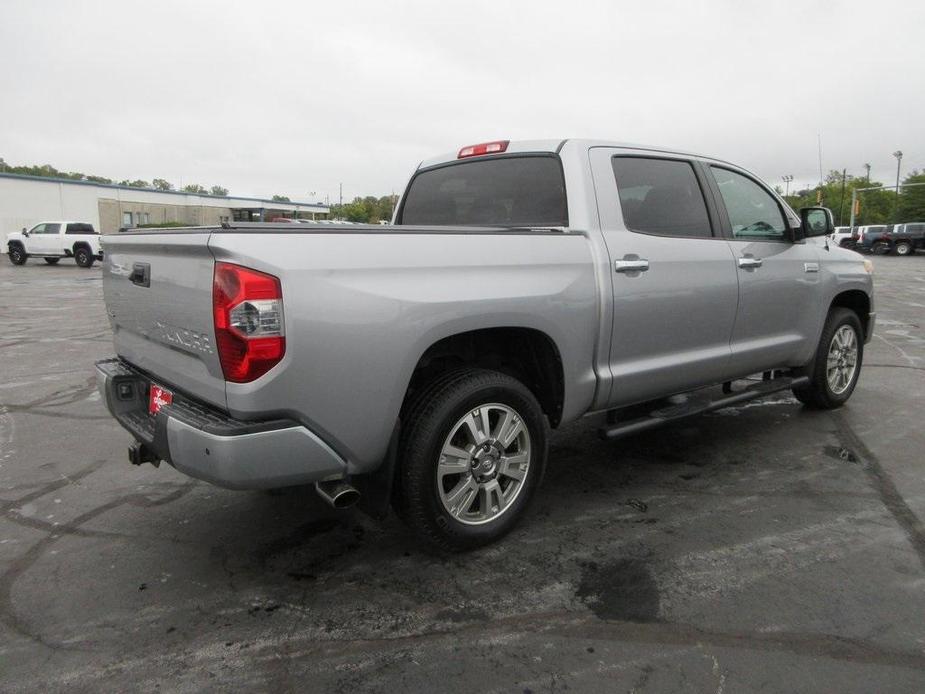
(247, 307)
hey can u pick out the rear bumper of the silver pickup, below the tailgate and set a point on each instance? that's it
(207, 444)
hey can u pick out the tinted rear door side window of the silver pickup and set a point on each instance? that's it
(661, 196)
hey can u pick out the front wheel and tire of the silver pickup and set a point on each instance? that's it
(836, 366)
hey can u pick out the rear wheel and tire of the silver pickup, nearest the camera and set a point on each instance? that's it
(473, 454)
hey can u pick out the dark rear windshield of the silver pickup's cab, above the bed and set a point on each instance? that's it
(504, 191)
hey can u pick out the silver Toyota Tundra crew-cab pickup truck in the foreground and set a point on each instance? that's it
(521, 285)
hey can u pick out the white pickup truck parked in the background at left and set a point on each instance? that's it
(55, 240)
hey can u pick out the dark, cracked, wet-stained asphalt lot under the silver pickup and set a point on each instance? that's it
(764, 547)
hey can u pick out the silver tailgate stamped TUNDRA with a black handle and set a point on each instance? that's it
(158, 291)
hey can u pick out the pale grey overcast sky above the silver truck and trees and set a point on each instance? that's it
(295, 97)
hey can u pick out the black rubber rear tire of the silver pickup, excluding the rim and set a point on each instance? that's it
(430, 420)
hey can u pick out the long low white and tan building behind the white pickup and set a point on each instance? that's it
(27, 200)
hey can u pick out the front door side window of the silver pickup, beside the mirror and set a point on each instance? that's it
(753, 212)
